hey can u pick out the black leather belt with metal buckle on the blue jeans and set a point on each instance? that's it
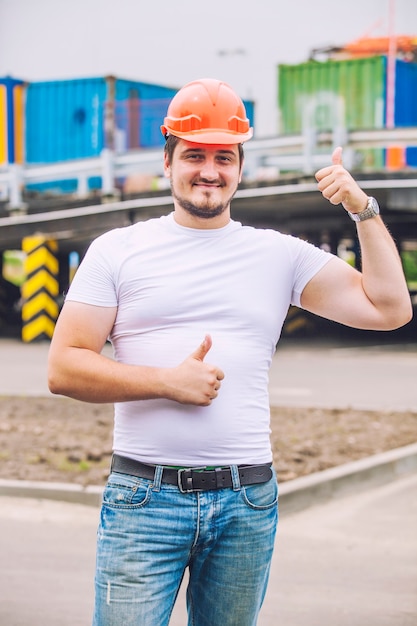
(194, 479)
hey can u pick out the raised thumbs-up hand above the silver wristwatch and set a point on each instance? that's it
(339, 187)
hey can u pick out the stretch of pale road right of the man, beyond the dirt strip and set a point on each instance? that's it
(345, 374)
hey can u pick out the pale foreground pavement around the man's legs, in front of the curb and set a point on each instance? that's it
(351, 562)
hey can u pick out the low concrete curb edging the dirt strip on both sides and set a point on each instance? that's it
(294, 495)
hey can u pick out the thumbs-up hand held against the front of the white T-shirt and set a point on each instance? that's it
(193, 381)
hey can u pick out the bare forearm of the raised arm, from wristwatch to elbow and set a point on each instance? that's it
(383, 278)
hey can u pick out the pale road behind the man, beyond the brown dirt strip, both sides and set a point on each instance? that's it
(313, 373)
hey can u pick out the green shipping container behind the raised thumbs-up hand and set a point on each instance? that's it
(326, 95)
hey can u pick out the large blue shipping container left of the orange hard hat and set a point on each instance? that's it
(72, 119)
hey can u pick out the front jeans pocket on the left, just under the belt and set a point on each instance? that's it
(123, 491)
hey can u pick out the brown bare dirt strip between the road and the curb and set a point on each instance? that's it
(58, 439)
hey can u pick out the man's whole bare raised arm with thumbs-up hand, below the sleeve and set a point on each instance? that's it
(376, 298)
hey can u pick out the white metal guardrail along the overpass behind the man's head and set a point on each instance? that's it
(290, 153)
